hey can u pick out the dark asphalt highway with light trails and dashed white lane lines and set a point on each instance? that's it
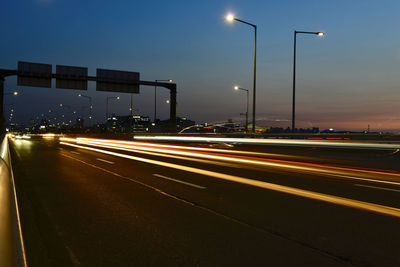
(95, 202)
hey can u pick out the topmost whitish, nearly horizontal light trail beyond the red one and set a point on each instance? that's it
(287, 142)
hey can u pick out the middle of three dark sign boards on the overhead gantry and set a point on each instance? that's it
(68, 77)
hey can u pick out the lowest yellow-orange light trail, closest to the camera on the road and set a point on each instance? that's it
(270, 186)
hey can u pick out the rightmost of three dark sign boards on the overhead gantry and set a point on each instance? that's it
(117, 81)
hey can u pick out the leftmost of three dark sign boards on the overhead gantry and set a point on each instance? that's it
(34, 74)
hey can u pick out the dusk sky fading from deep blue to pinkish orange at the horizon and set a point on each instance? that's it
(345, 80)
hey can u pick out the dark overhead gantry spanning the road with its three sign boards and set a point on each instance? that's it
(76, 78)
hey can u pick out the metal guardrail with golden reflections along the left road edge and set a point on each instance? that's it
(12, 252)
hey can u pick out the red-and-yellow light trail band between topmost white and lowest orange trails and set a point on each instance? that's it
(342, 172)
